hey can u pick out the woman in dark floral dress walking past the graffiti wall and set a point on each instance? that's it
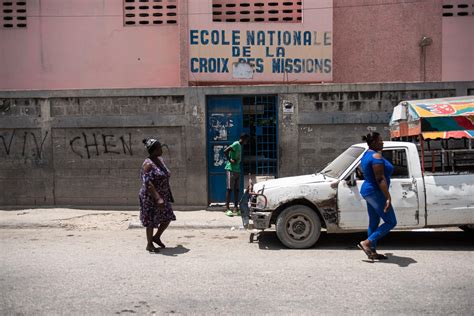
(155, 195)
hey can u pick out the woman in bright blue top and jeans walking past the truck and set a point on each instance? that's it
(377, 172)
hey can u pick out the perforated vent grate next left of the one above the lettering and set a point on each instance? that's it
(150, 12)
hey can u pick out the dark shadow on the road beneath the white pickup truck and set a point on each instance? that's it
(409, 240)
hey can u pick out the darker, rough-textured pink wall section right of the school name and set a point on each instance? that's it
(377, 40)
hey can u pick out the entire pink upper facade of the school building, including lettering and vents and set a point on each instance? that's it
(95, 44)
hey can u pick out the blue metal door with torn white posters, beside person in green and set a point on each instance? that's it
(224, 126)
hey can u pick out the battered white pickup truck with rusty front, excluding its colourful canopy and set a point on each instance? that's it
(440, 195)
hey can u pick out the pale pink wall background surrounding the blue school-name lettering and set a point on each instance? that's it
(317, 16)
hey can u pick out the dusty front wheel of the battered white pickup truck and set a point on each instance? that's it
(298, 227)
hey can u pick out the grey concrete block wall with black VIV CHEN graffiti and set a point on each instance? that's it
(83, 147)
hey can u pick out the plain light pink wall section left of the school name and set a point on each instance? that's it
(72, 44)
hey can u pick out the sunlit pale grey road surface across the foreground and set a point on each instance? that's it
(216, 271)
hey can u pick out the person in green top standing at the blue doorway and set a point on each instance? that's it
(233, 154)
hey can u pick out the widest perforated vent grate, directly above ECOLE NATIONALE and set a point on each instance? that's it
(275, 11)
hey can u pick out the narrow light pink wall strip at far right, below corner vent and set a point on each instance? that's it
(458, 48)
